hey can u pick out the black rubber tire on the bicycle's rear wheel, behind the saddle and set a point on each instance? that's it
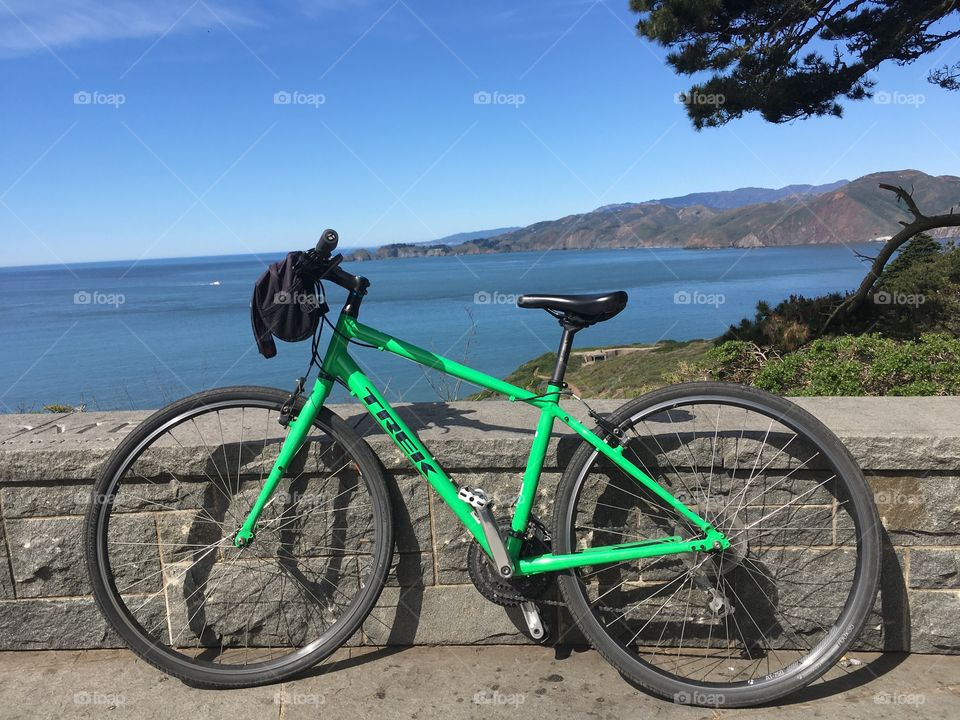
(765, 688)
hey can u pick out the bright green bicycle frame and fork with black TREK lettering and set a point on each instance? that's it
(339, 365)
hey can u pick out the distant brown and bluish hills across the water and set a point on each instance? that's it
(854, 211)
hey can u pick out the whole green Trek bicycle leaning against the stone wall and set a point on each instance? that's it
(717, 544)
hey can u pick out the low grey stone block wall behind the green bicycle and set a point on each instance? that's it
(909, 449)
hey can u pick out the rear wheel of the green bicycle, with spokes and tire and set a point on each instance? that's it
(748, 624)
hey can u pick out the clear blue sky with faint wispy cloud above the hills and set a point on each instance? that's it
(134, 130)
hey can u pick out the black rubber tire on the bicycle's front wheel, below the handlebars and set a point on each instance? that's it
(198, 671)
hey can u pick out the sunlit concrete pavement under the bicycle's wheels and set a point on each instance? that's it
(449, 682)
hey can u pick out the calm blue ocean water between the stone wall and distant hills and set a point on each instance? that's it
(120, 335)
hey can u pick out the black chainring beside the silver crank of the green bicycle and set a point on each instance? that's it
(510, 592)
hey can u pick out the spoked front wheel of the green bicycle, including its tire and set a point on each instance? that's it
(160, 529)
